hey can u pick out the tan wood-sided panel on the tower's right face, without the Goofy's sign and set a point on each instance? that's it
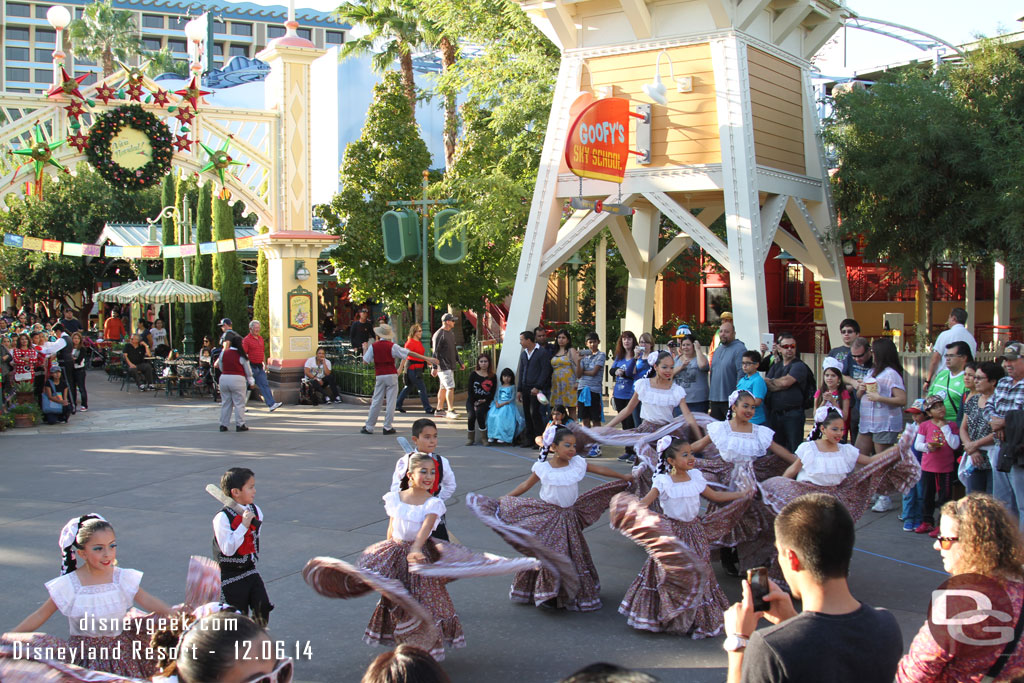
(778, 107)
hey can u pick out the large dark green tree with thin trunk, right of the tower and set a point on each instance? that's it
(913, 173)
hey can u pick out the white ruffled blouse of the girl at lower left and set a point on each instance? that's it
(96, 611)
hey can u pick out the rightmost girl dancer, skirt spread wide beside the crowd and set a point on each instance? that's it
(827, 465)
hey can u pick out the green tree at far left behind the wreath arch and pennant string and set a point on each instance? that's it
(74, 208)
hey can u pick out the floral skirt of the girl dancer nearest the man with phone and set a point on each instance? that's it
(653, 604)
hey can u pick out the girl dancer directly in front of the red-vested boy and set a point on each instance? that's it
(413, 515)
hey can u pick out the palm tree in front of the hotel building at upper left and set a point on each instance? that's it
(105, 34)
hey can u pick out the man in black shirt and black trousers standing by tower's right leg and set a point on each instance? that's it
(790, 383)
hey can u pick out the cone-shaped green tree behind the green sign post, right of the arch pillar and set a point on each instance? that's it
(387, 163)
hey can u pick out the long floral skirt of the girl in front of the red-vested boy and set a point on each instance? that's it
(390, 624)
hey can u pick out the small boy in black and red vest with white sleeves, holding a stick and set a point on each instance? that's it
(236, 547)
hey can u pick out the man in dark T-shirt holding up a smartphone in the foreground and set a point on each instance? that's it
(828, 642)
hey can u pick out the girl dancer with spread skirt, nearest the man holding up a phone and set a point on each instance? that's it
(655, 603)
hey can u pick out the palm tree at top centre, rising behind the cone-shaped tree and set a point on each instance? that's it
(394, 31)
